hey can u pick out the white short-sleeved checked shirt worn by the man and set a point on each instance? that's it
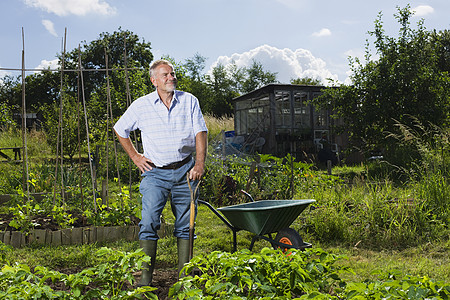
(168, 135)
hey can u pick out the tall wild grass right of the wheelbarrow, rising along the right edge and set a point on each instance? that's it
(374, 212)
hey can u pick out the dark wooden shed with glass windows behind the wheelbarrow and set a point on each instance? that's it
(279, 119)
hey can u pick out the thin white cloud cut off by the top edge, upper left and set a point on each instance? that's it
(73, 7)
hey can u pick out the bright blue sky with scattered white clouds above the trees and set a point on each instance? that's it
(295, 38)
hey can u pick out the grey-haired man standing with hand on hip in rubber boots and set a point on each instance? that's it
(172, 128)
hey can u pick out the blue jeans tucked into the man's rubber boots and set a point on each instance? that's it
(155, 188)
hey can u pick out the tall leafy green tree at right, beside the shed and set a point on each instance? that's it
(406, 80)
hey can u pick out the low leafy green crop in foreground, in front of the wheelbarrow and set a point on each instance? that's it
(246, 275)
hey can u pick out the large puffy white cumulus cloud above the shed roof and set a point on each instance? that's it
(288, 64)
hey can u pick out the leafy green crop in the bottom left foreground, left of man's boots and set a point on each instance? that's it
(111, 279)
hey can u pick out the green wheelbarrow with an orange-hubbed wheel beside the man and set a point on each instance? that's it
(264, 218)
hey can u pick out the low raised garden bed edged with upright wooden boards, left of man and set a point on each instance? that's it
(44, 228)
